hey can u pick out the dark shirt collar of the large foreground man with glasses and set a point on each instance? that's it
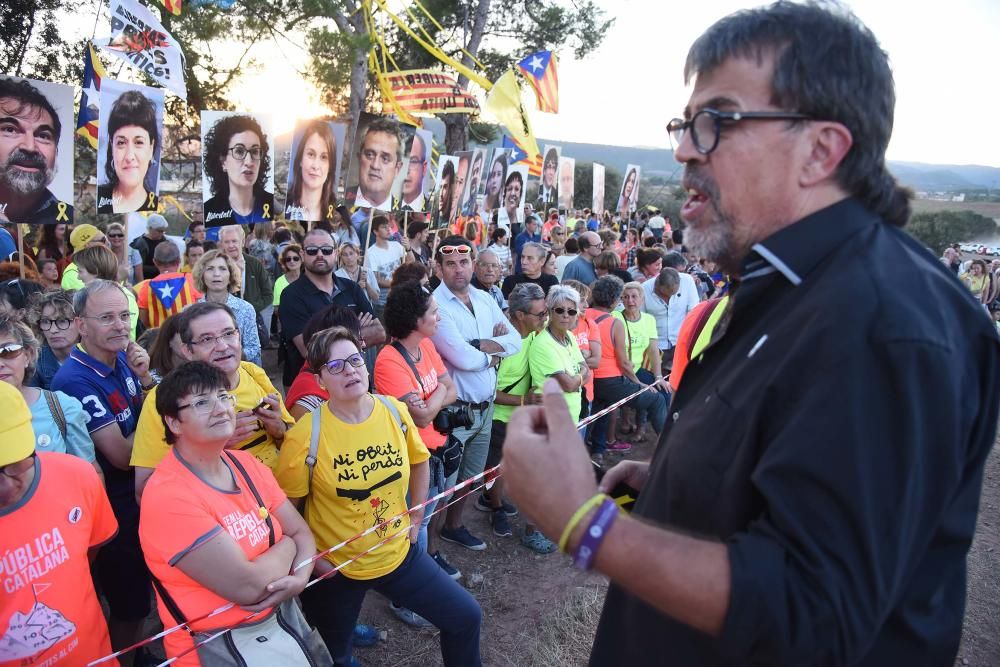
(797, 249)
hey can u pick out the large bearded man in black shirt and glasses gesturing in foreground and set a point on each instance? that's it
(814, 493)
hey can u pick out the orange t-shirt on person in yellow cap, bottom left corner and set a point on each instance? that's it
(49, 613)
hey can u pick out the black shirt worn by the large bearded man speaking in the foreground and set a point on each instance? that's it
(833, 437)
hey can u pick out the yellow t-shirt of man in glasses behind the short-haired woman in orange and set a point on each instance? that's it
(150, 446)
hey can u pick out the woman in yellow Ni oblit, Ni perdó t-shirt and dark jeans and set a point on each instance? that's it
(370, 462)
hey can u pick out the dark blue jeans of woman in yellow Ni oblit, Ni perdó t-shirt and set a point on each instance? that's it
(333, 605)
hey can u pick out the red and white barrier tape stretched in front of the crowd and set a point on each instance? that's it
(443, 494)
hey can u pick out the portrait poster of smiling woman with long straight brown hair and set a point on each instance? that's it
(314, 170)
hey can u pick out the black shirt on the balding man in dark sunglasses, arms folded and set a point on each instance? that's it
(301, 300)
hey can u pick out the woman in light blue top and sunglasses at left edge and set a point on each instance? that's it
(58, 420)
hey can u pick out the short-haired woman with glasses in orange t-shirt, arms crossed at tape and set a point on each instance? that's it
(216, 528)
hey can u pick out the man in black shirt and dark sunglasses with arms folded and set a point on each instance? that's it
(315, 289)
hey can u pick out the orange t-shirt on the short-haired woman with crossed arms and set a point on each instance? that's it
(179, 512)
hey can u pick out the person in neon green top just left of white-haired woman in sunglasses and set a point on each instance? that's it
(527, 312)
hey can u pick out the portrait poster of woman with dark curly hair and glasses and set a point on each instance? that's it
(237, 179)
